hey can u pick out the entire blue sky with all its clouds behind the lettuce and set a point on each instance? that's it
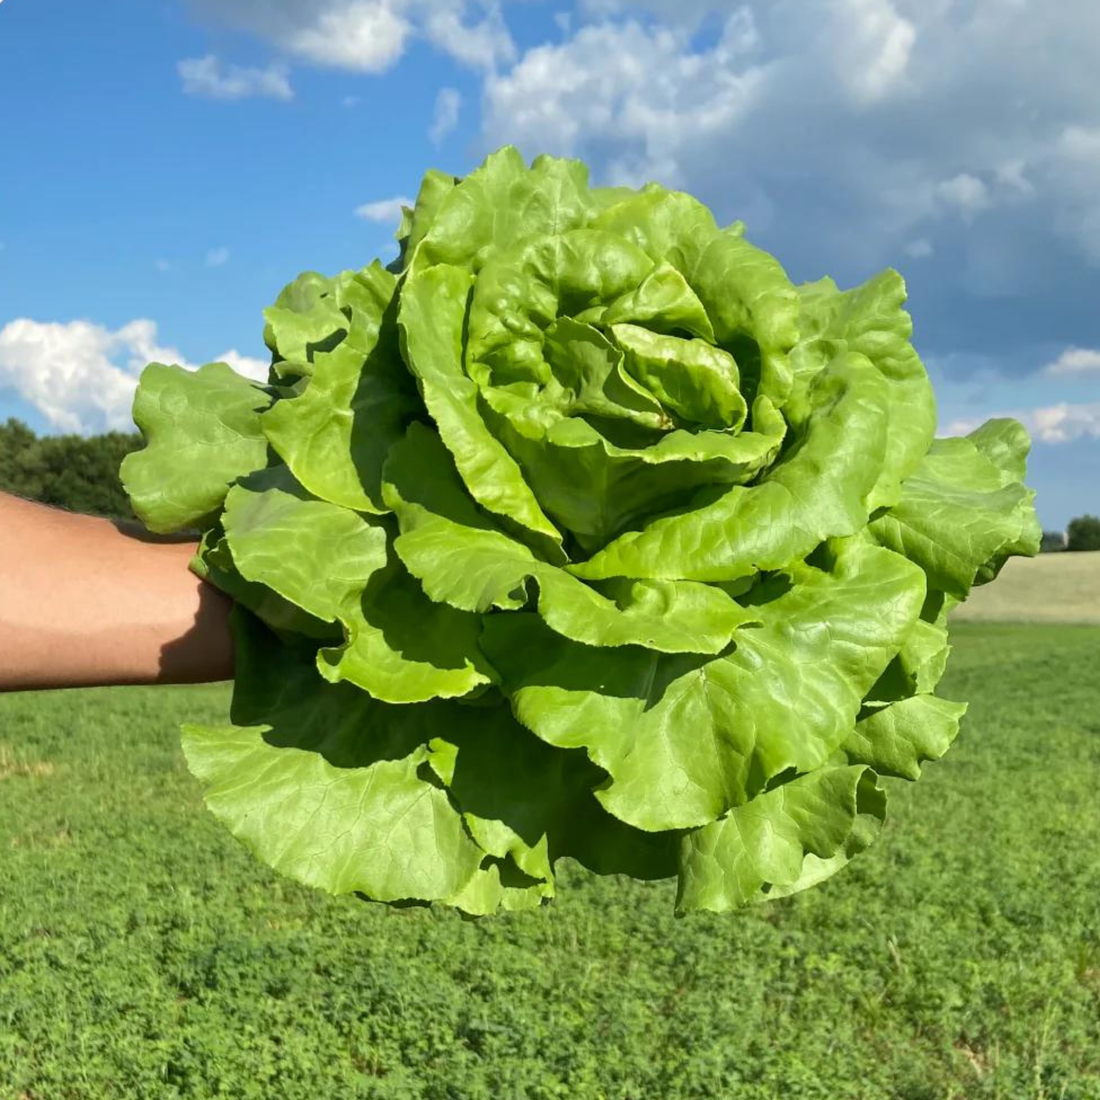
(169, 166)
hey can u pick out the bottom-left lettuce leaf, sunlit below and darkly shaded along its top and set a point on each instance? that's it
(326, 784)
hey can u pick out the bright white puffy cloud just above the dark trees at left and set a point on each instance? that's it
(82, 377)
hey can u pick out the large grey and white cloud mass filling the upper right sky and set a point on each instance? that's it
(843, 131)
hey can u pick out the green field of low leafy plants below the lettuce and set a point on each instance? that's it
(145, 954)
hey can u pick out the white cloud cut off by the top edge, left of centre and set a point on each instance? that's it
(371, 36)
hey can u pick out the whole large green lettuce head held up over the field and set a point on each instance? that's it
(577, 532)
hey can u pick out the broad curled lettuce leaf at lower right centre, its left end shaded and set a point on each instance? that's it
(684, 739)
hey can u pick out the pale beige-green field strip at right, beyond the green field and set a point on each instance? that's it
(1053, 588)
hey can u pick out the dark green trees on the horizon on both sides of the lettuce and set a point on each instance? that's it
(81, 474)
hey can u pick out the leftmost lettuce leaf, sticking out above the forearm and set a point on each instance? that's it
(203, 433)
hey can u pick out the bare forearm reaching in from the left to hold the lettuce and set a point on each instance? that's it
(87, 602)
